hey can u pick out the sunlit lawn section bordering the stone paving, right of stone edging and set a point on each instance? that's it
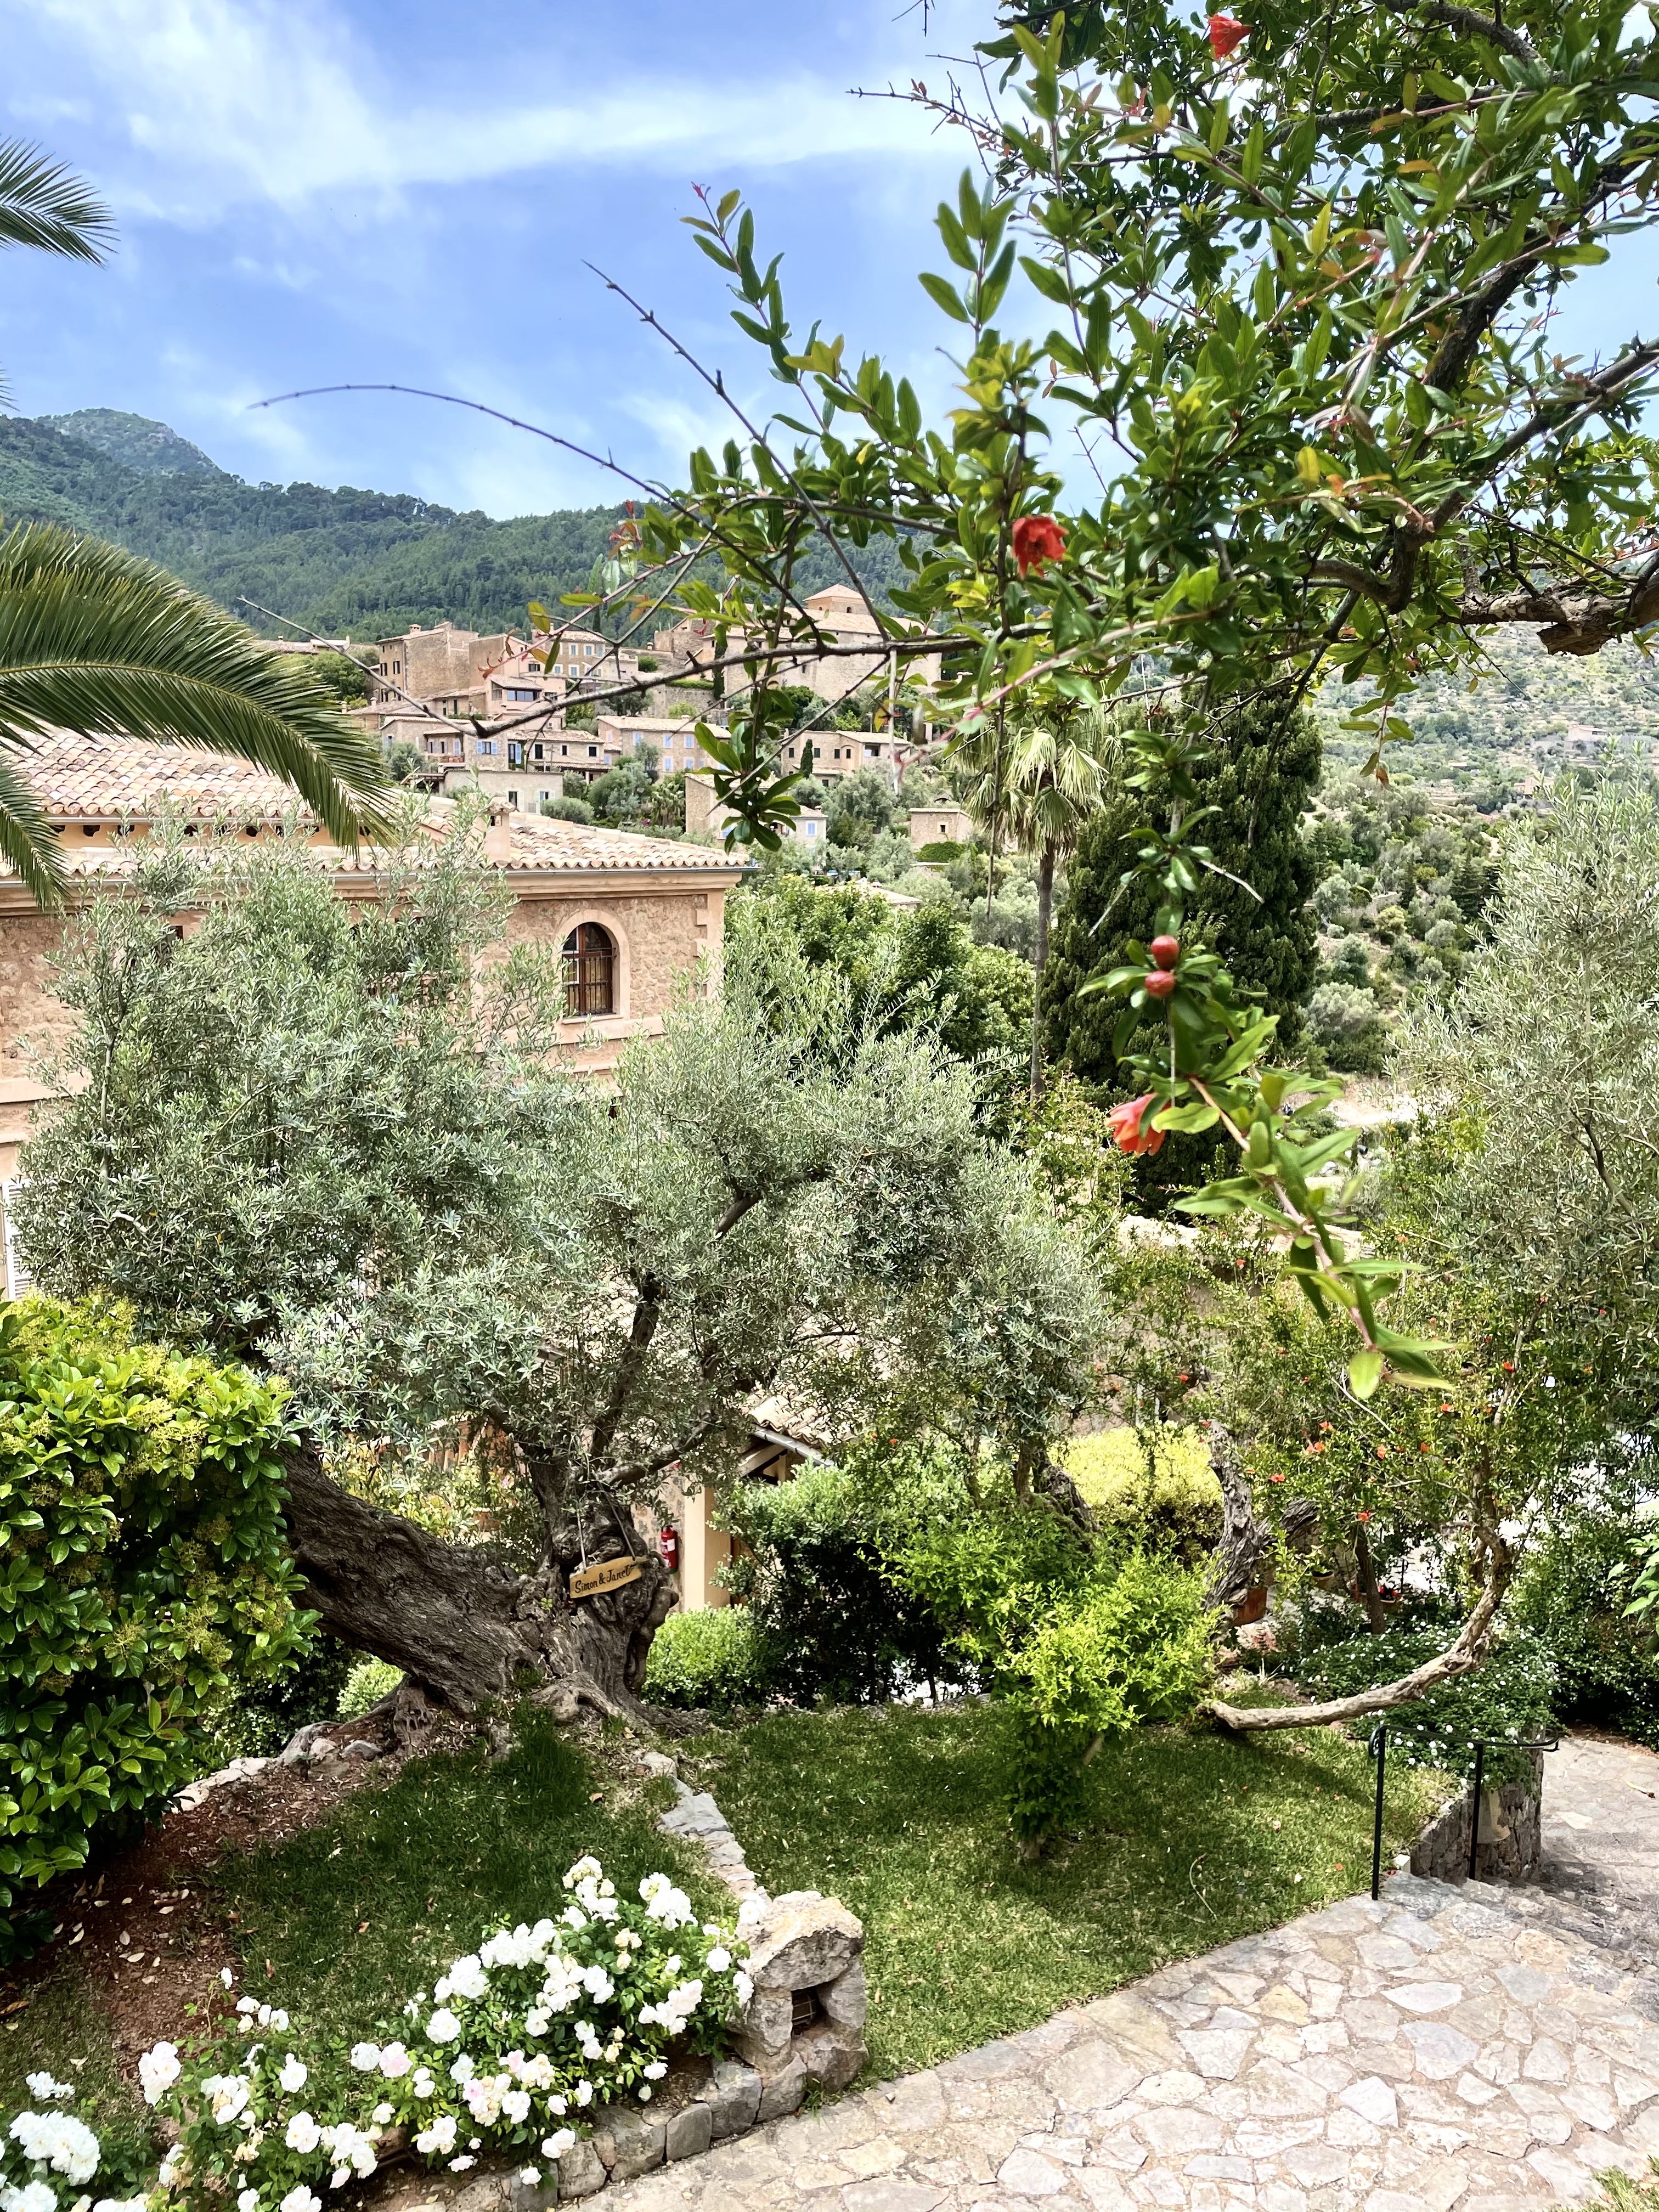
(1191, 1841)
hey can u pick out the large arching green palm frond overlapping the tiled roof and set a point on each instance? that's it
(105, 645)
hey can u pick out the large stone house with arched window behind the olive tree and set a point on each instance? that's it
(627, 915)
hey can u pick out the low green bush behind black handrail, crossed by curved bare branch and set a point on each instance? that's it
(1507, 1700)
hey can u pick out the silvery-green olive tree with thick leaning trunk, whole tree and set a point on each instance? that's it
(340, 1147)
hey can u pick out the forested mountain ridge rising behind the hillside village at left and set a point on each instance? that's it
(342, 563)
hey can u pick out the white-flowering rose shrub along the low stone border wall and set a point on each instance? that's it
(517, 2043)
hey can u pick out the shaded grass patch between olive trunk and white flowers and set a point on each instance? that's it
(353, 1917)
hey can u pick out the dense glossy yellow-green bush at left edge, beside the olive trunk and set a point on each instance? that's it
(145, 1574)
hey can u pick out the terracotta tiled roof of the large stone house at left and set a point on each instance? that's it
(112, 780)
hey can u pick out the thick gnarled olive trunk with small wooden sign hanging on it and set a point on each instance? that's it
(461, 1627)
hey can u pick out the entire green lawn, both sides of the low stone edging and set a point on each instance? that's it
(1191, 1841)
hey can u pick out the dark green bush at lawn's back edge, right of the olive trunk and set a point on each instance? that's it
(831, 1616)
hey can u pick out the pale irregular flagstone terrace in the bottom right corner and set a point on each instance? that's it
(1474, 2047)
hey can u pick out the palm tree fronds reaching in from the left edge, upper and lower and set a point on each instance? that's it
(98, 643)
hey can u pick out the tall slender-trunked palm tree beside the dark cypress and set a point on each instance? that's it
(1041, 778)
